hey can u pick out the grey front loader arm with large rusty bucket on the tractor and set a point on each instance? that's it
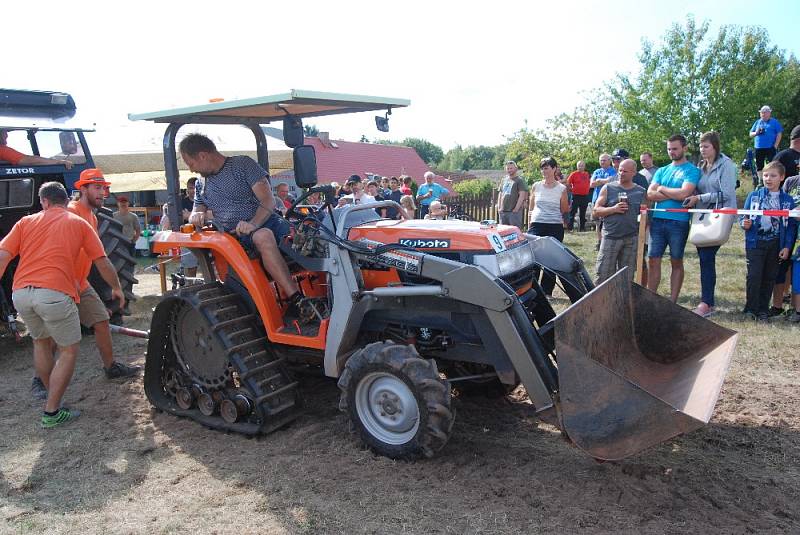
(616, 388)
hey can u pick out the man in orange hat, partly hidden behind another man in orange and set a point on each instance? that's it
(91, 310)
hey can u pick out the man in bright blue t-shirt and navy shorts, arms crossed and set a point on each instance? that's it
(669, 188)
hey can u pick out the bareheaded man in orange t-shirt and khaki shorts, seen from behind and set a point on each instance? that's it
(44, 289)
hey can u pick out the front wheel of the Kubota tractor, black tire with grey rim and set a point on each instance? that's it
(409, 389)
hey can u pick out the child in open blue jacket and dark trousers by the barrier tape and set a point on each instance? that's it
(768, 240)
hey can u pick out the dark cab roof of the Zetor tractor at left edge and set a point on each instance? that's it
(39, 110)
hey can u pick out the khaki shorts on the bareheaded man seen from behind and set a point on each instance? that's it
(48, 314)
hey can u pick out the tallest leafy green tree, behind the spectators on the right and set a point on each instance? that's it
(692, 83)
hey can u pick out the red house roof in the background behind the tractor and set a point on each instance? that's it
(337, 160)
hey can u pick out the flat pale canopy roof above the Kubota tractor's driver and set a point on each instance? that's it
(296, 103)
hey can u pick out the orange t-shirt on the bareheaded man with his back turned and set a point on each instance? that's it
(48, 243)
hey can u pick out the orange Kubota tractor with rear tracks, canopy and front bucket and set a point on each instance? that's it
(402, 312)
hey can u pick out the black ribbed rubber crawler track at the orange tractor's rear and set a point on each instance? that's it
(261, 372)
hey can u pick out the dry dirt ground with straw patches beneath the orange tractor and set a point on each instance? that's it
(122, 468)
